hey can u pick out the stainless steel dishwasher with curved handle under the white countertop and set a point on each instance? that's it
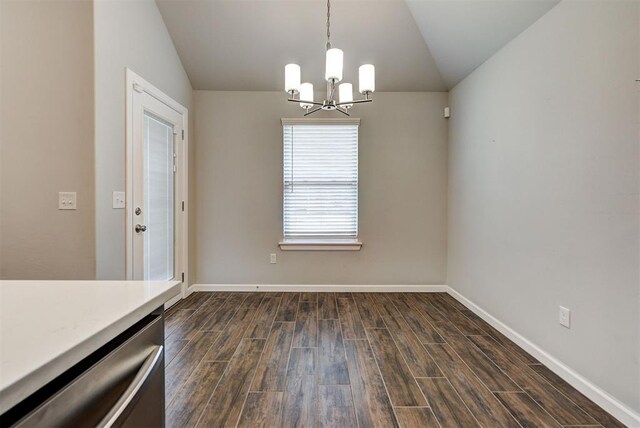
(120, 385)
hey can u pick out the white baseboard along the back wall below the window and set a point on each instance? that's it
(323, 288)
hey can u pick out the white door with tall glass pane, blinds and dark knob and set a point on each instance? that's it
(156, 182)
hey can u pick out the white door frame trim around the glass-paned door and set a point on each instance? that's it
(136, 84)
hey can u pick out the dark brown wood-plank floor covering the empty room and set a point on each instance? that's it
(355, 360)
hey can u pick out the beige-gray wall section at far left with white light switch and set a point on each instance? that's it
(46, 139)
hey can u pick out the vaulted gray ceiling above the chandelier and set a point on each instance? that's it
(416, 45)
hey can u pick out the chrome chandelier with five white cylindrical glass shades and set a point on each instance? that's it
(333, 76)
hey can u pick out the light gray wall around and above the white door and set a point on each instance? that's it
(127, 34)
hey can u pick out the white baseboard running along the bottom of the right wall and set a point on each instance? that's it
(593, 392)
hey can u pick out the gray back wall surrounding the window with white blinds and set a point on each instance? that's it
(402, 169)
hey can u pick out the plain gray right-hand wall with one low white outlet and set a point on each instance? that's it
(543, 189)
